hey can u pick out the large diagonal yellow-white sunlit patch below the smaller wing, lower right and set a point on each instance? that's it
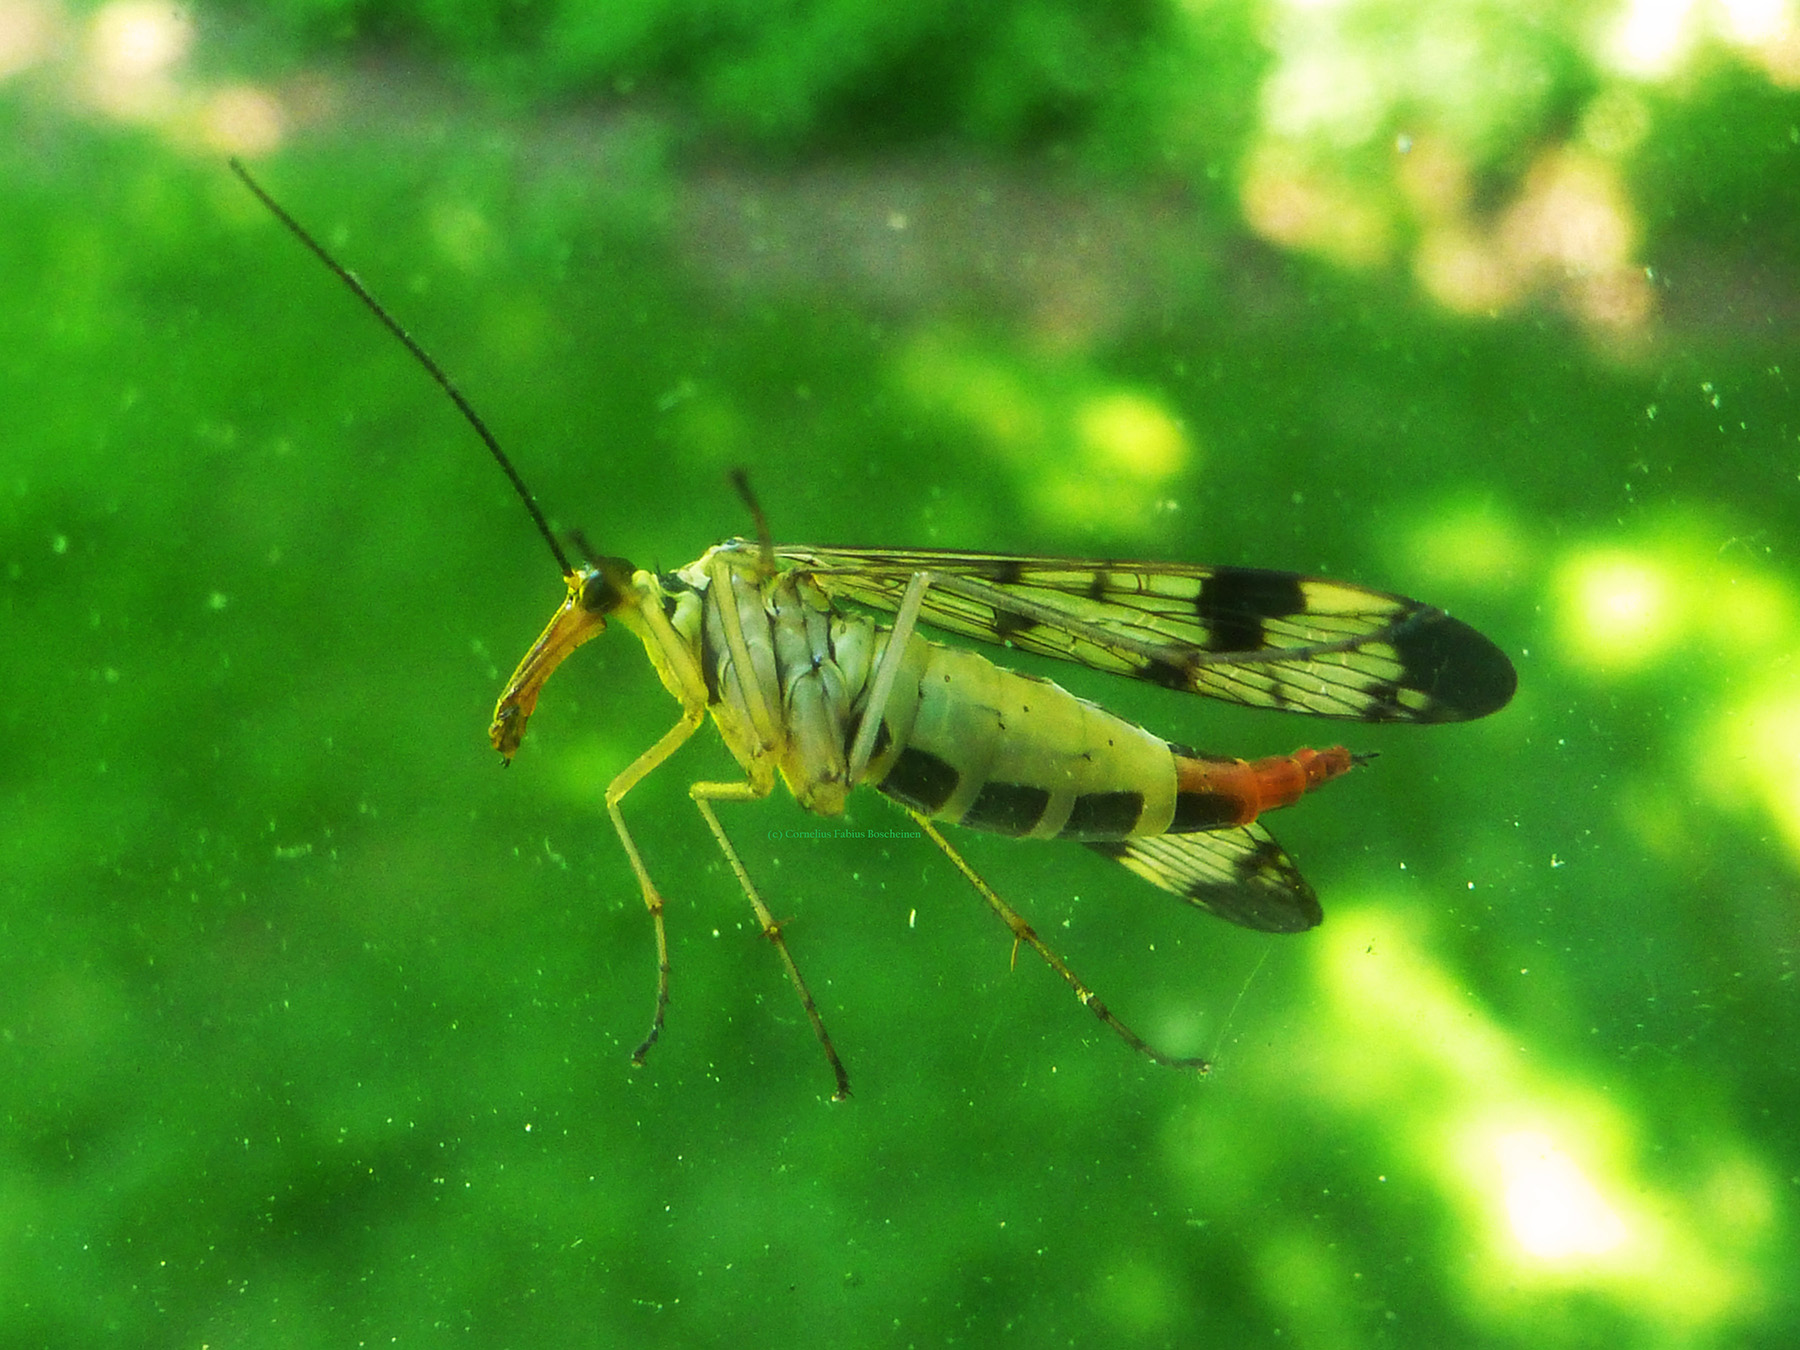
(1545, 1173)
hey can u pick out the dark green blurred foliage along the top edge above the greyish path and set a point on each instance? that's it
(838, 76)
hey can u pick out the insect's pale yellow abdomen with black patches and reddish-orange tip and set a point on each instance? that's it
(1014, 755)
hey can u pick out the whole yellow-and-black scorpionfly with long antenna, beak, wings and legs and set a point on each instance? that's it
(784, 651)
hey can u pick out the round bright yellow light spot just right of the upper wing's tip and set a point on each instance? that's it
(1619, 611)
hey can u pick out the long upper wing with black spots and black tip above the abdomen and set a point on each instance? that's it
(1241, 634)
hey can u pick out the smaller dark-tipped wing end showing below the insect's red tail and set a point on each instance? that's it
(1241, 876)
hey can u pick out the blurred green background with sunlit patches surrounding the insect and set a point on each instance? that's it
(316, 1023)
